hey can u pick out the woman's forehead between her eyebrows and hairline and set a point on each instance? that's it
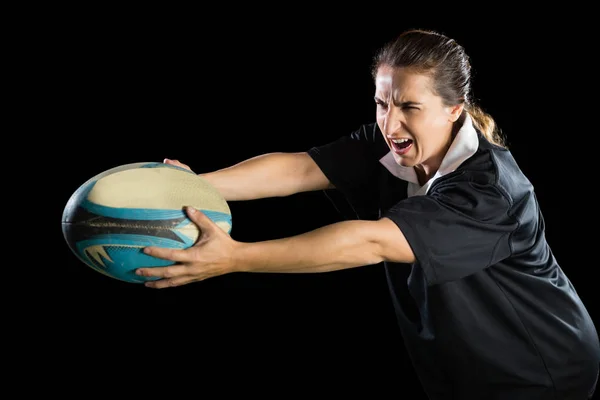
(402, 82)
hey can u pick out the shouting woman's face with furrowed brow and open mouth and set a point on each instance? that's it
(415, 123)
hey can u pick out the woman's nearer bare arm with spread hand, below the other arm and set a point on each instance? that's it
(337, 246)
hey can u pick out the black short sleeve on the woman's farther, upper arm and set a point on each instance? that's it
(351, 166)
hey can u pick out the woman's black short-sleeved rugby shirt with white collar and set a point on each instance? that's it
(486, 305)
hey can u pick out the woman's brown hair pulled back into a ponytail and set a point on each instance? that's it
(447, 63)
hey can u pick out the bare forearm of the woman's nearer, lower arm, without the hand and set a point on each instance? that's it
(338, 246)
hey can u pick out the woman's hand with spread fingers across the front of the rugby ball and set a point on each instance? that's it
(210, 256)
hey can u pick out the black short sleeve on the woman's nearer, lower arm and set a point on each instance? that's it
(458, 229)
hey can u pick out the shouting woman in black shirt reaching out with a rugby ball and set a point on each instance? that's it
(484, 308)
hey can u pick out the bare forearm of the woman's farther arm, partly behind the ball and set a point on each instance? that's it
(268, 175)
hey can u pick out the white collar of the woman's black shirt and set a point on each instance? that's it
(463, 146)
